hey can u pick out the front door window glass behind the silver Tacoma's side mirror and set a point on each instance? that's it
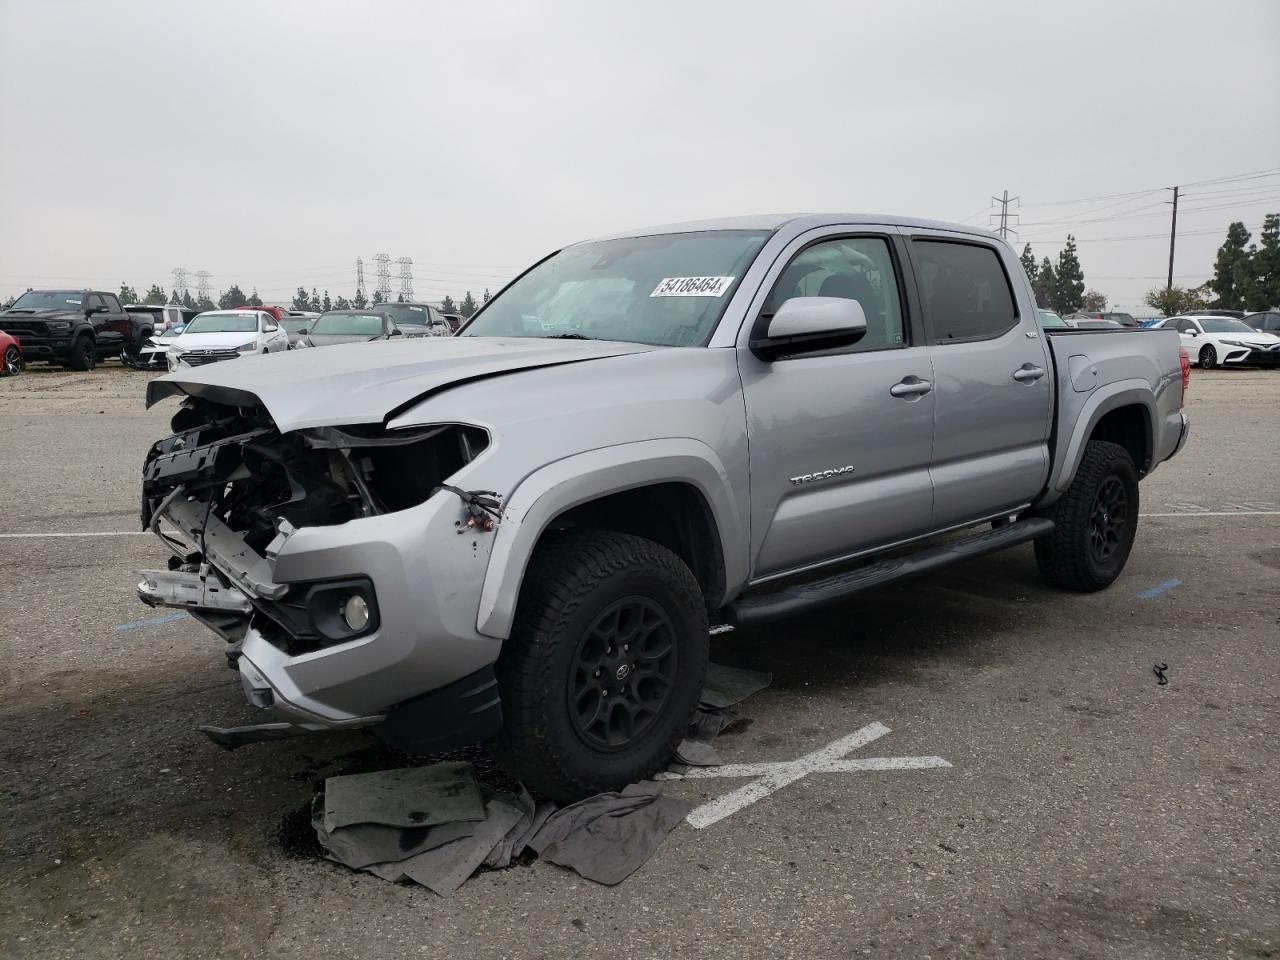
(851, 268)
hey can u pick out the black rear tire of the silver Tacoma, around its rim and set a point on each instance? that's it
(1068, 557)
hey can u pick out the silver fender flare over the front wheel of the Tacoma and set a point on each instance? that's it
(569, 483)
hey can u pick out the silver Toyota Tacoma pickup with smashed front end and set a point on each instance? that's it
(522, 534)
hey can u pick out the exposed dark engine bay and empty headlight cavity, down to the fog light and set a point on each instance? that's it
(235, 488)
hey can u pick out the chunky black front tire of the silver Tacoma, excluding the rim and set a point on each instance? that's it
(573, 582)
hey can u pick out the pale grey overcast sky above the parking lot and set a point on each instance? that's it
(272, 144)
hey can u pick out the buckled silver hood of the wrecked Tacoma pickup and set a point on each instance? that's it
(365, 383)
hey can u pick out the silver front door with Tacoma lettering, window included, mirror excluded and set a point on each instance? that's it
(842, 440)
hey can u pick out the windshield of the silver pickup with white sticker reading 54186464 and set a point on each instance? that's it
(669, 290)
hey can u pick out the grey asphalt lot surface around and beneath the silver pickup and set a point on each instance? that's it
(1087, 812)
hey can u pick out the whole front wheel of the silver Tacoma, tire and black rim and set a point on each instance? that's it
(605, 665)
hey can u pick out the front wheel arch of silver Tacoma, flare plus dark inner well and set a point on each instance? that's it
(682, 481)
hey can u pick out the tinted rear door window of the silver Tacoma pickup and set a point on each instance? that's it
(966, 291)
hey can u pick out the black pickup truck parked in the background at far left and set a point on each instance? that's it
(75, 328)
